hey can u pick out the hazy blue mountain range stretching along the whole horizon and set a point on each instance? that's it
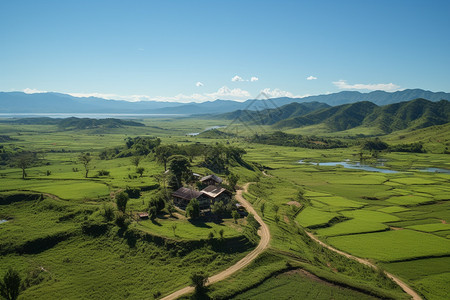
(18, 102)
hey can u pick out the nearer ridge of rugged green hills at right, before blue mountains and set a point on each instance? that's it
(413, 114)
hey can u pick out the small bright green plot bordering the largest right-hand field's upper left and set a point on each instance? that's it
(352, 227)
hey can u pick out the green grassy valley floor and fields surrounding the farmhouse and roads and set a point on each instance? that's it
(61, 243)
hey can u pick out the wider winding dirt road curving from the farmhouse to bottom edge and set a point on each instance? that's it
(263, 244)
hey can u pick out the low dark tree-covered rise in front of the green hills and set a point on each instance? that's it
(285, 139)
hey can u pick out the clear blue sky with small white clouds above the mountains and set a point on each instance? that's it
(204, 50)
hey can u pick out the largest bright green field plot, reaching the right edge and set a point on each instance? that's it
(392, 245)
